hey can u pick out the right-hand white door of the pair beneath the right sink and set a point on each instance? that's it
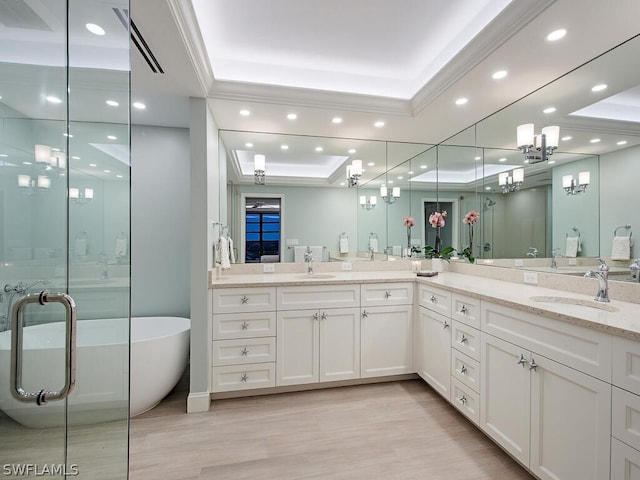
(570, 423)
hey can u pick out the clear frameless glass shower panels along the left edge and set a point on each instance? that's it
(64, 228)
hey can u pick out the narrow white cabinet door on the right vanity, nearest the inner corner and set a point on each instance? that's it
(435, 347)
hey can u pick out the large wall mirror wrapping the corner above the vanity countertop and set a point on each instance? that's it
(463, 173)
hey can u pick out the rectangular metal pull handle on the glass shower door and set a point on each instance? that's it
(17, 324)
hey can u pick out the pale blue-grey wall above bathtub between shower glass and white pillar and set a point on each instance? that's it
(160, 195)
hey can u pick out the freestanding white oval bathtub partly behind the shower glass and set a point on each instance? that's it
(159, 354)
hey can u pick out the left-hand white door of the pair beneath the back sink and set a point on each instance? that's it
(297, 356)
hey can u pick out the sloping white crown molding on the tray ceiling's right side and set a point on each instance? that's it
(496, 33)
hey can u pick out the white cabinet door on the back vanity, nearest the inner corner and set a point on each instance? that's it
(386, 344)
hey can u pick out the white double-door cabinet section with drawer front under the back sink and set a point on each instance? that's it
(318, 334)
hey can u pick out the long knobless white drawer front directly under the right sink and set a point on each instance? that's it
(584, 349)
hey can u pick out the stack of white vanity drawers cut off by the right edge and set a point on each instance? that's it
(625, 415)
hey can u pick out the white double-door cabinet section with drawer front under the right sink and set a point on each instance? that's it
(553, 418)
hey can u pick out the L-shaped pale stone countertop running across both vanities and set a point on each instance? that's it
(617, 317)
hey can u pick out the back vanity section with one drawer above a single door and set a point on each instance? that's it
(386, 329)
